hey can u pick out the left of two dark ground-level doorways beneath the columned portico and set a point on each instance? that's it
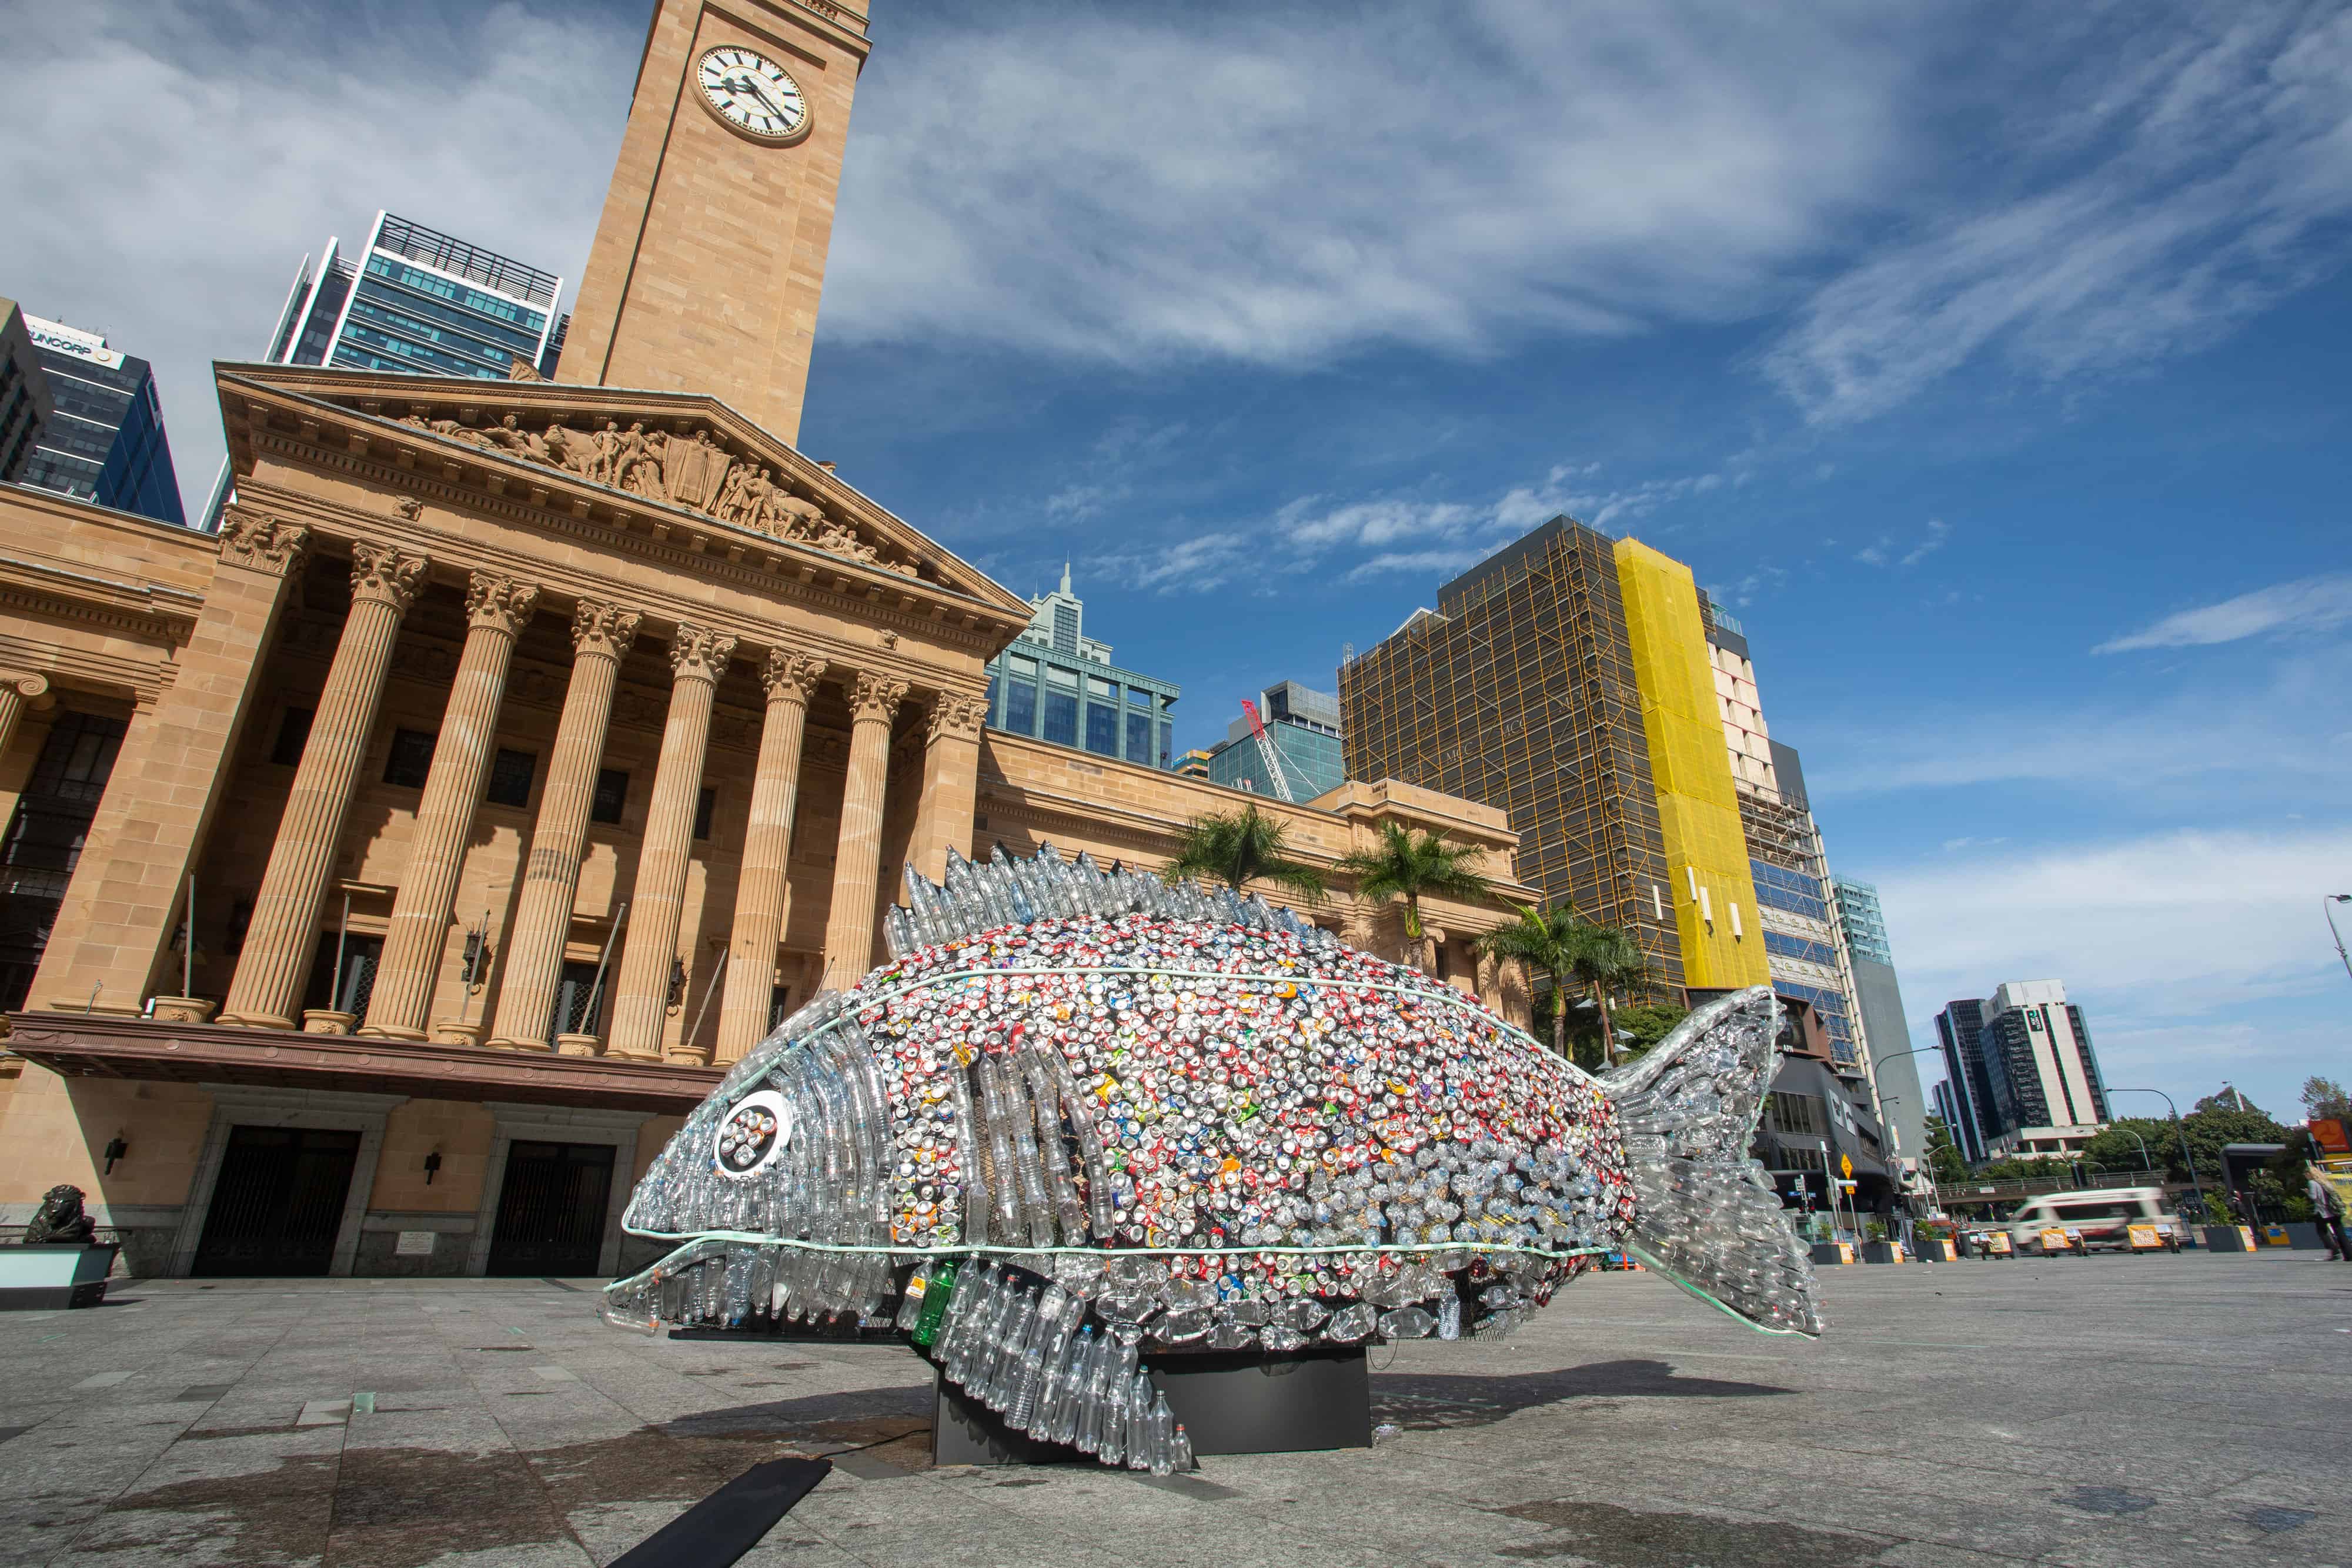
(276, 1202)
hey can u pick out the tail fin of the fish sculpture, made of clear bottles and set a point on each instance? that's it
(1706, 1214)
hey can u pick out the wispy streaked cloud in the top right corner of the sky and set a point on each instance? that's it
(2191, 182)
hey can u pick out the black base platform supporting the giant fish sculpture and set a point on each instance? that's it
(1234, 1402)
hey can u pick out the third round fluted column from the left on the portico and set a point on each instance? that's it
(535, 953)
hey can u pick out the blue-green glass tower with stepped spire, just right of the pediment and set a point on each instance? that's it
(1060, 685)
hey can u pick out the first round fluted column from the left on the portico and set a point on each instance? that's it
(279, 939)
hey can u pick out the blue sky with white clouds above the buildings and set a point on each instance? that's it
(1986, 361)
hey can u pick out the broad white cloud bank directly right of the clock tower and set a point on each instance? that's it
(1285, 187)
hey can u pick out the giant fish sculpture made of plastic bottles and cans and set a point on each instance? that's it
(1085, 1115)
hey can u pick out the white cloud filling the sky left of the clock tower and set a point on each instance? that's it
(171, 163)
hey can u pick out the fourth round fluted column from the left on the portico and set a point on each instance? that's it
(657, 904)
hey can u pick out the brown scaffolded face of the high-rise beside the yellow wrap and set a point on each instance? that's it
(1521, 692)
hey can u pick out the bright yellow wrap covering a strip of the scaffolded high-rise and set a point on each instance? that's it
(1699, 815)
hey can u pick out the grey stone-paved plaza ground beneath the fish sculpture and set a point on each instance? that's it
(2052, 1412)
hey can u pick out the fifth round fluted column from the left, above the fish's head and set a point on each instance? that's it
(751, 953)
